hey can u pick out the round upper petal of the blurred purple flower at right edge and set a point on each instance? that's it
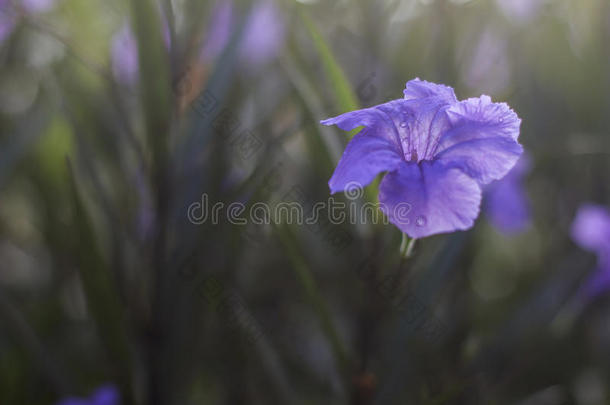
(591, 229)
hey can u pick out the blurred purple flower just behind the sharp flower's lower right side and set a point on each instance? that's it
(507, 205)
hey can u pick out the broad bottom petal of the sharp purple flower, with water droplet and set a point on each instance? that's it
(429, 198)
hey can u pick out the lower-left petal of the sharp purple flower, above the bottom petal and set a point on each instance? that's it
(364, 158)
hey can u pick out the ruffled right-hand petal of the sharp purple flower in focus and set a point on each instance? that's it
(482, 140)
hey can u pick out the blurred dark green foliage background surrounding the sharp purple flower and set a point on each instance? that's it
(122, 120)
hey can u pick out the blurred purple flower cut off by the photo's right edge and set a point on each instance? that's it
(591, 231)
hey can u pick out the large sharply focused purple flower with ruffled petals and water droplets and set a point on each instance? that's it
(437, 152)
